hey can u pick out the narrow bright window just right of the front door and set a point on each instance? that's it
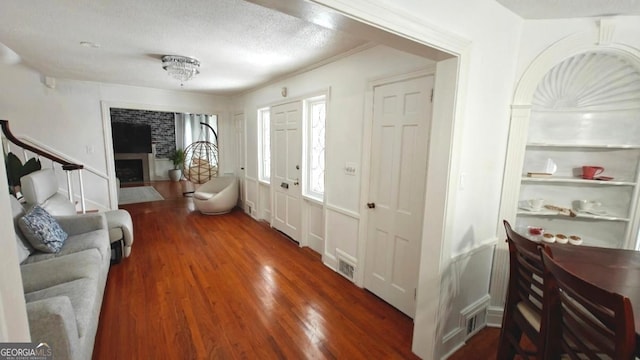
(315, 121)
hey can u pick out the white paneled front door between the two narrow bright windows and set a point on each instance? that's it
(286, 157)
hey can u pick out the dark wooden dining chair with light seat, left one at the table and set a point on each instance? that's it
(524, 302)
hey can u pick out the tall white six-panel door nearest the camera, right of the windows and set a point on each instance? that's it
(401, 125)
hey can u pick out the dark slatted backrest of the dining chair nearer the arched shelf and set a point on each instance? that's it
(526, 270)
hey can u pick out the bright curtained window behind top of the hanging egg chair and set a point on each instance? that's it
(189, 129)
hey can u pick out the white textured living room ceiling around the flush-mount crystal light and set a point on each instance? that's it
(239, 44)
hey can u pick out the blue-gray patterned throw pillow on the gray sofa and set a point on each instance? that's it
(42, 230)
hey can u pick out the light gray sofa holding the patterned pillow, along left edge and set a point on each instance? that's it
(64, 290)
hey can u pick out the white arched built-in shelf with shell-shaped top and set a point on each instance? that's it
(530, 106)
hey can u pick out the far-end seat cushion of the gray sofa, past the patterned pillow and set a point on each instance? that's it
(92, 240)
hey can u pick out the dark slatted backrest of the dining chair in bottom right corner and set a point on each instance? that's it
(593, 323)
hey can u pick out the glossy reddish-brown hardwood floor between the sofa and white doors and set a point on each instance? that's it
(227, 287)
